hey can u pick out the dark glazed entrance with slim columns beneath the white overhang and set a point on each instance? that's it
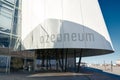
(62, 60)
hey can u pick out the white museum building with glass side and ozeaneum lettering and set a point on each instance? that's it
(48, 35)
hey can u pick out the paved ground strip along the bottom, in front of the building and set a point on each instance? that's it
(56, 76)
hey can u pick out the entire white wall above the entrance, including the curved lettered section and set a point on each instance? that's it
(63, 24)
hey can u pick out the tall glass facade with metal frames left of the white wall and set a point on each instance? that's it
(10, 22)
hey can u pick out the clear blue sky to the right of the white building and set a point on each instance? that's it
(111, 13)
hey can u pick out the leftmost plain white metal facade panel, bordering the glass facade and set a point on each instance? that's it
(33, 13)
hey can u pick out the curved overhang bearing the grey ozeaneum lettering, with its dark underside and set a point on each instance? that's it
(54, 34)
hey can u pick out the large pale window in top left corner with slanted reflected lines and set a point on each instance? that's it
(6, 12)
